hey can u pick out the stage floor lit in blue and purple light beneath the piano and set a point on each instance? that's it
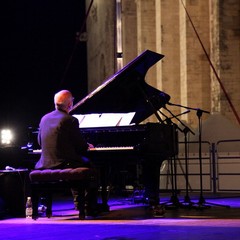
(218, 218)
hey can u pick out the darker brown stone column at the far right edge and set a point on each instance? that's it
(225, 52)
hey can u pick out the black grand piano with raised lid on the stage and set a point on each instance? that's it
(127, 92)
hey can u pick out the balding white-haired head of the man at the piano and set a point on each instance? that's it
(63, 100)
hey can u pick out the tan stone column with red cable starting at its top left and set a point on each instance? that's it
(194, 66)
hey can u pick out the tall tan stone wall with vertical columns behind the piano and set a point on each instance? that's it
(163, 26)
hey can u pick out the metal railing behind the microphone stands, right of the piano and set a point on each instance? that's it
(220, 168)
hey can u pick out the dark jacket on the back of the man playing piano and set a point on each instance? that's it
(60, 140)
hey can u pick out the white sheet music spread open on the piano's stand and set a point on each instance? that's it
(104, 119)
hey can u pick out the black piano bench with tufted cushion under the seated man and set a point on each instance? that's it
(44, 182)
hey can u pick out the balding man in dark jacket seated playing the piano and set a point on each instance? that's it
(63, 146)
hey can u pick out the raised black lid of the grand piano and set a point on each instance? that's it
(126, 91)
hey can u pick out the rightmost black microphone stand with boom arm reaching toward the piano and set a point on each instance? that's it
(201, 203)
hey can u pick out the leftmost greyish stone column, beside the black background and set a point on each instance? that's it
(100, 42)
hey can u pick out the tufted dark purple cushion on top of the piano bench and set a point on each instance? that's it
(51, 175)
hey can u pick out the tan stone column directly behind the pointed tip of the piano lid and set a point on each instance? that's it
(167, 42)
